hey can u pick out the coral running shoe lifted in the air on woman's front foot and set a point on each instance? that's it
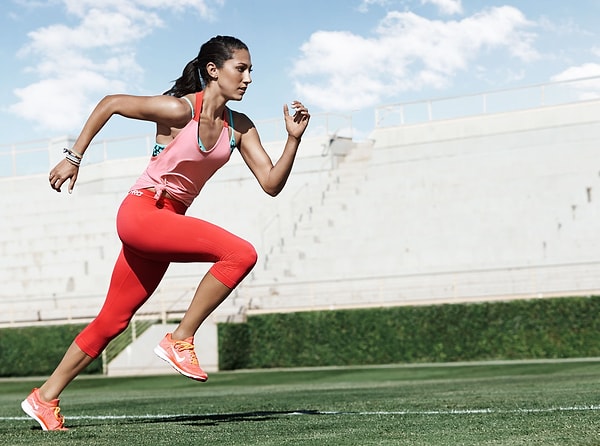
(181, 356)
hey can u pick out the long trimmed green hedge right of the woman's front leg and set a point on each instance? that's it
(521, 329)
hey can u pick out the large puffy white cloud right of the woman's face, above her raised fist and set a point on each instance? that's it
(342, 71)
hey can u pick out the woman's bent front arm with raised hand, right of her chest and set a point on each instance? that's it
(272, 177)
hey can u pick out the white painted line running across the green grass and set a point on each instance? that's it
(325, 412)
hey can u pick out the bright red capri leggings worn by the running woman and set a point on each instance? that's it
(155, 233)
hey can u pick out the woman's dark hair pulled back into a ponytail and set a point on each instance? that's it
(217, 50)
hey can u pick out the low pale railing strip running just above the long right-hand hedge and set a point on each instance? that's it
(427, 288)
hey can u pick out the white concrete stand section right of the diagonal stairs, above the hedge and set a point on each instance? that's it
(487, 207)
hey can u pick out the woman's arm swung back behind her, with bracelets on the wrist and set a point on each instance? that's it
(163, 110)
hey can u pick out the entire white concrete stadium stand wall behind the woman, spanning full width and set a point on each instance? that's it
(485, 207)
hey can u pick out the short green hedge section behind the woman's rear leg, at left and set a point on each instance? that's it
(35, 351)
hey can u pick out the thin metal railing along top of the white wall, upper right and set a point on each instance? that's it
(495, 101)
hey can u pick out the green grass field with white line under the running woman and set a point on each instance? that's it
(531, 403)
